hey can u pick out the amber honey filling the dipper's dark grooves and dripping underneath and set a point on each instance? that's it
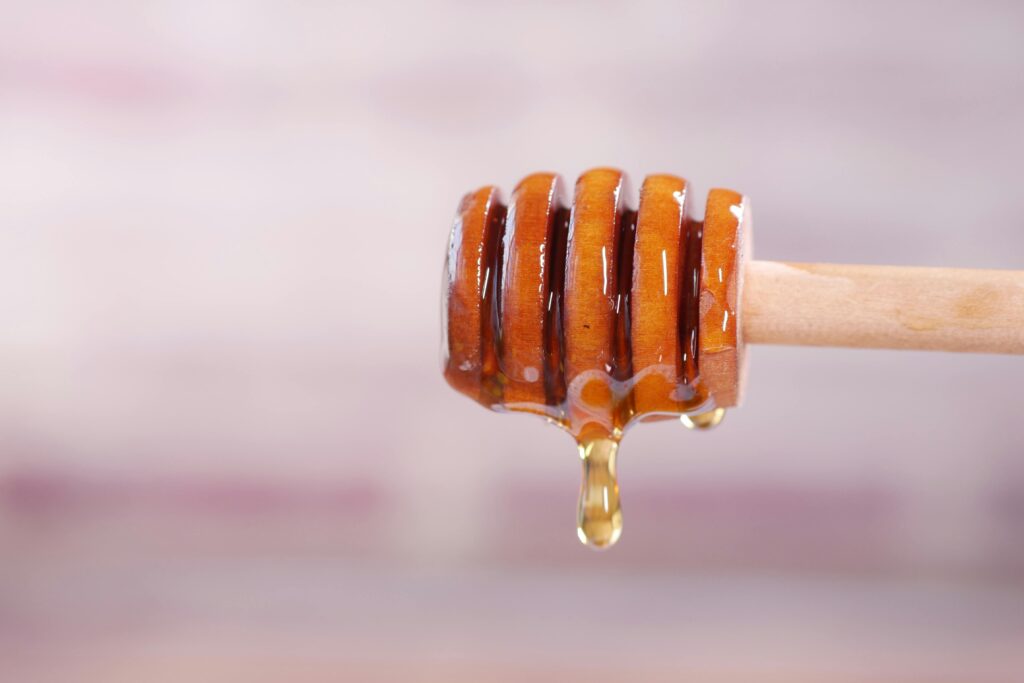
(596, 407)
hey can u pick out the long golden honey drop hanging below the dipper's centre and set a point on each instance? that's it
(600, 519)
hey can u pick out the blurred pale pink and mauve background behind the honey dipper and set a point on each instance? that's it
(227, 451)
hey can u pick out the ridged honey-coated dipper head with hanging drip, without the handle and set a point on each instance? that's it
(596, 316)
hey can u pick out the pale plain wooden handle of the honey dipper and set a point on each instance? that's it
(871, 307)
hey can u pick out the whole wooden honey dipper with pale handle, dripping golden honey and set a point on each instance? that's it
(609, 313)
